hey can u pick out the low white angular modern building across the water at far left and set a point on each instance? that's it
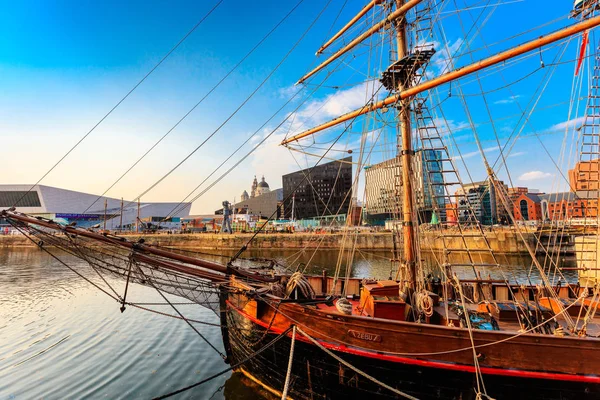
(87, 210)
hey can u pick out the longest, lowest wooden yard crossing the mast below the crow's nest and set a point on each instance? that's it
(453, 75)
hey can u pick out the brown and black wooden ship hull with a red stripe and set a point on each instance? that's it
(423, 360)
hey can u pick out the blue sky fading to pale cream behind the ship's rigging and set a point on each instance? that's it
(63, 65)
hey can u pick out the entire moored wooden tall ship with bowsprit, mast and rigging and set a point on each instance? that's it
(425, 331)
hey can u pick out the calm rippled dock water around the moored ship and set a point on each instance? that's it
(62, 338)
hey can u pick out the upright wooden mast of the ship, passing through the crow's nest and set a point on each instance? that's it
(406, 153)
